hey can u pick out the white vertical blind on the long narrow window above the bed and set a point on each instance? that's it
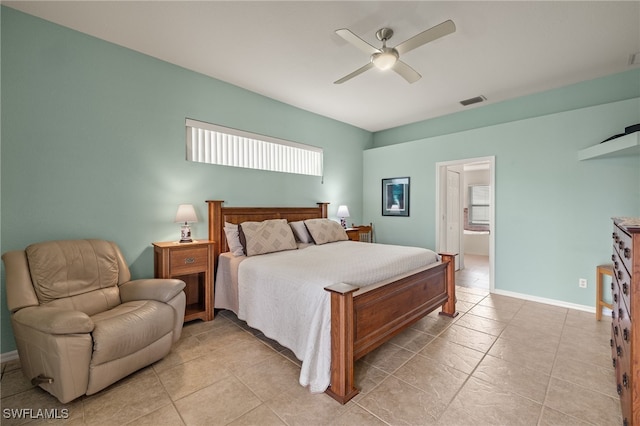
(213, 144)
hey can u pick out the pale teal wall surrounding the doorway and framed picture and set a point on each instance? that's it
(552, 211)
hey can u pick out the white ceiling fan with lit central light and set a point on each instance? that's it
(385, 57)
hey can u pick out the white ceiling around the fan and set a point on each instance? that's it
(288, 50)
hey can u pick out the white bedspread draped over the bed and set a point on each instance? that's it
(282, 294)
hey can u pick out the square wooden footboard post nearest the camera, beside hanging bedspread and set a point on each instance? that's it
(342, 387)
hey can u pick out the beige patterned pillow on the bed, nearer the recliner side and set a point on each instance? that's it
(267, 236)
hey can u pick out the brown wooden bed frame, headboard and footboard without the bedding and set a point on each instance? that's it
(361, 319)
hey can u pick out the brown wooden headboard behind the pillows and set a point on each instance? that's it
(218, 215)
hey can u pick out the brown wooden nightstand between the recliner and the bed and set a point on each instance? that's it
(193, 264)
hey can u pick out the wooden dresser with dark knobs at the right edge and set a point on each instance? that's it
(625, 336)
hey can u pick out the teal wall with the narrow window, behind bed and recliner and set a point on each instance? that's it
(93, 146)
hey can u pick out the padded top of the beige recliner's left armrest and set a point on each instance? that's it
(54, 320)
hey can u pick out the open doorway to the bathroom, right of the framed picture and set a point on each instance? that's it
(465, 217)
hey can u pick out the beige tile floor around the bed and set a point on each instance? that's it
(502, 361)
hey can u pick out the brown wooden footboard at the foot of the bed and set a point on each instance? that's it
(362, 320)
